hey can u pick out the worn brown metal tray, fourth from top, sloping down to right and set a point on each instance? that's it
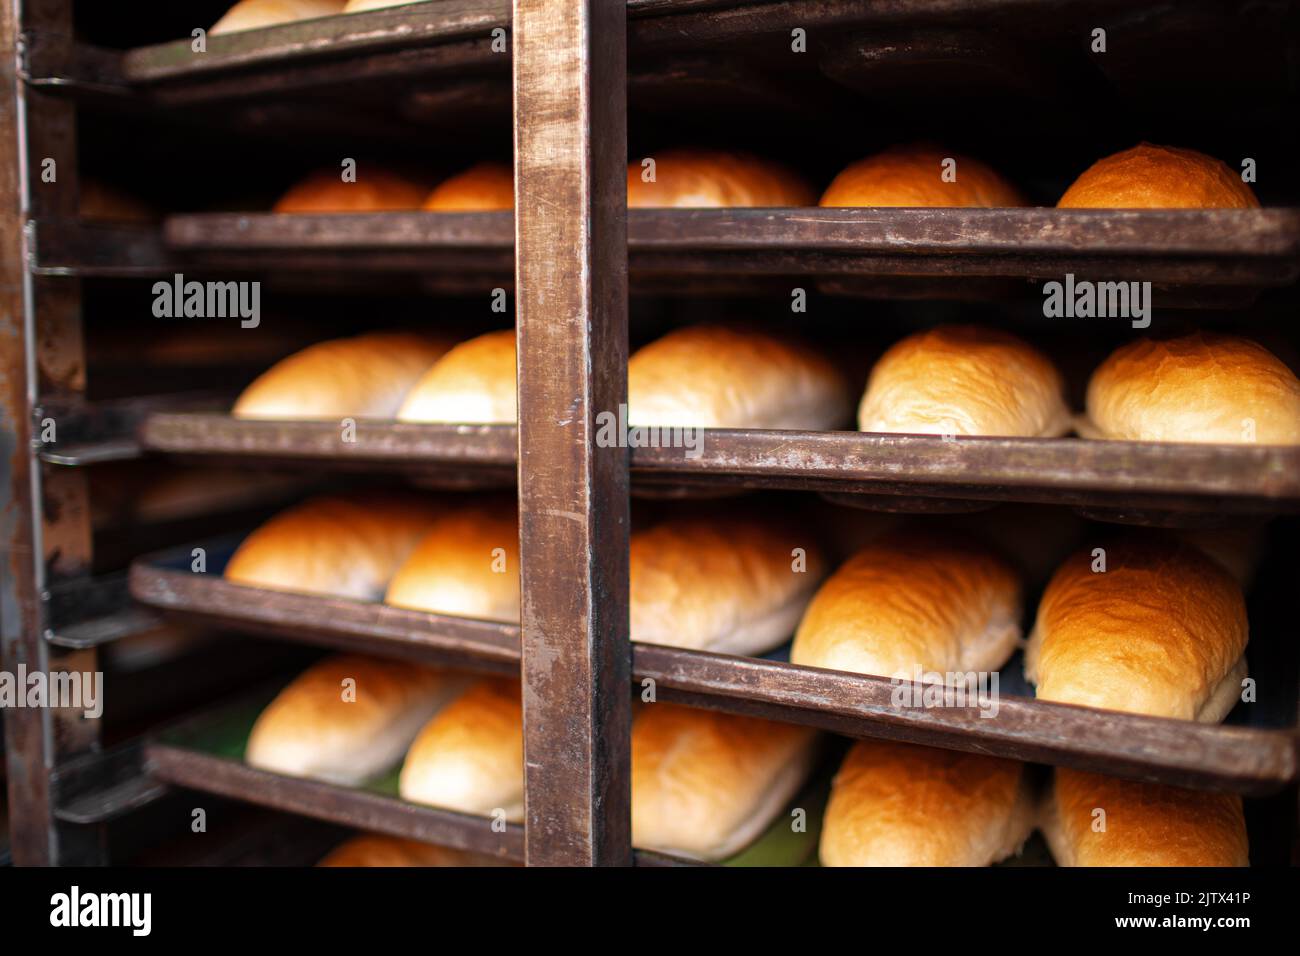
(1255, 752)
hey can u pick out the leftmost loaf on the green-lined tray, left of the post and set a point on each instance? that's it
(348, 733)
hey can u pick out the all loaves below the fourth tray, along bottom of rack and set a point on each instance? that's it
(705, 785)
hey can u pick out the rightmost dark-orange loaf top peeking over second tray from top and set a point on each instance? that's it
(1159, 178)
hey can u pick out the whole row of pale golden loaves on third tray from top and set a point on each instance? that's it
(956, 380)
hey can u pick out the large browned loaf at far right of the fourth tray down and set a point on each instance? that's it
(1162, 631)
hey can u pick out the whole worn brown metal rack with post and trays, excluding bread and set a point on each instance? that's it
(573, 253)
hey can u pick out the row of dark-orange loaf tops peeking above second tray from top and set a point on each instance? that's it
(913, 176)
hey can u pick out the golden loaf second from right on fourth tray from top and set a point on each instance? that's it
(912, 602)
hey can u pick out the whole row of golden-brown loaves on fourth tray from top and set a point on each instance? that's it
(1145, 624)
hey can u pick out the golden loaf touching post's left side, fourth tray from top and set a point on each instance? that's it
(467, 565)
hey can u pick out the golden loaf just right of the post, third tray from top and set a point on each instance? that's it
(713, 377)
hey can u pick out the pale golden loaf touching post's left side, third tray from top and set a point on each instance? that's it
(473, 384)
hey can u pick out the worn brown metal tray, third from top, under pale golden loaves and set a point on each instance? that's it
(1151, 483)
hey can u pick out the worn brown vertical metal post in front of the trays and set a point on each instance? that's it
(573, 318)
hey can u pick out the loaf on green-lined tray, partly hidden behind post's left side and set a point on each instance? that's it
(471, 756)
